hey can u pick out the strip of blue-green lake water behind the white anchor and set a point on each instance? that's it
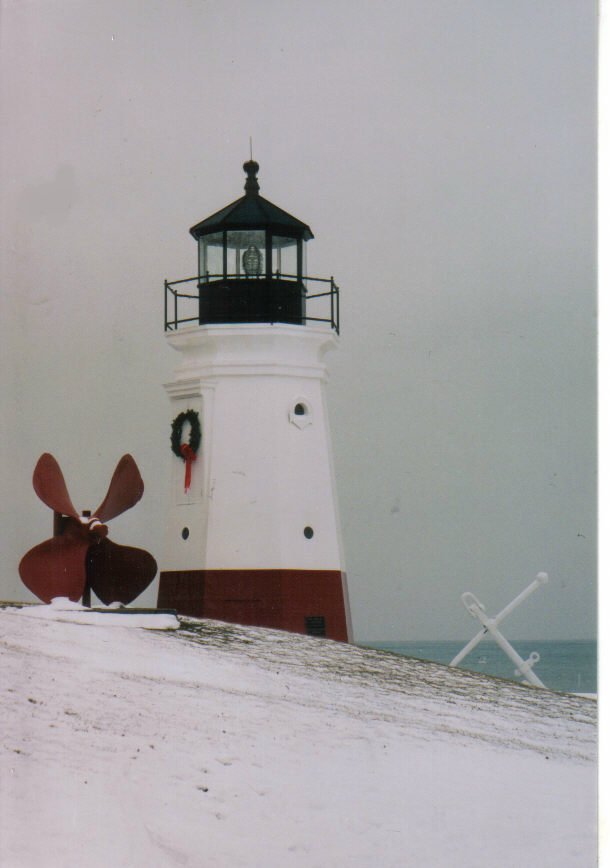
(567, 666)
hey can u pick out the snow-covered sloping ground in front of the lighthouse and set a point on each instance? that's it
(216, 745)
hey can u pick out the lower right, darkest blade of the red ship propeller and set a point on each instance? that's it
(119, 574)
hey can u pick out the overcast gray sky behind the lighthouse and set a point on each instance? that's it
(443, 154)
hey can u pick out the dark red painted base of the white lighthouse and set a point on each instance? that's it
(300, 601)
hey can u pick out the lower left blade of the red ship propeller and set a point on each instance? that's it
(55, 568)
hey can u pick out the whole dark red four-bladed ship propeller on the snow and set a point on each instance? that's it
(79, 557)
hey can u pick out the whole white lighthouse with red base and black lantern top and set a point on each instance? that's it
(252, 533)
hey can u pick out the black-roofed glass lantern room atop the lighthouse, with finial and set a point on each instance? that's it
(251, 260)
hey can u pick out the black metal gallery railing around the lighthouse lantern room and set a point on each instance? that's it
(214, 299)
